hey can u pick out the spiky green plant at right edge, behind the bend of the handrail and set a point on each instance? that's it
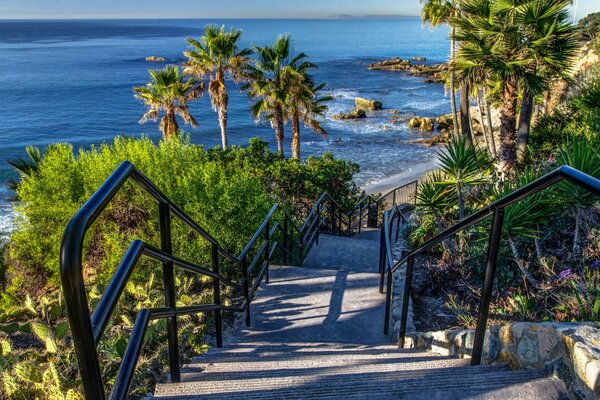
(584, 156)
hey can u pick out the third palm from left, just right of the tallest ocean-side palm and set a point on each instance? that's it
(268, 84)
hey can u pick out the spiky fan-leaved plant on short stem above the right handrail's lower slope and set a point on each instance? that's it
(460, 163)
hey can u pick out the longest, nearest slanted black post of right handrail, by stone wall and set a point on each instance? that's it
(488, 285)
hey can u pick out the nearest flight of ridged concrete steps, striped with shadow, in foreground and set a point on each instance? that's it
(361, 374)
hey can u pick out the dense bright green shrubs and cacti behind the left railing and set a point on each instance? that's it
(228, 193)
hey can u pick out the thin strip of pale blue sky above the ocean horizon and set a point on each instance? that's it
(218, 8)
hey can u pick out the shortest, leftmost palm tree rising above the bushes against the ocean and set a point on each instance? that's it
(168, 92)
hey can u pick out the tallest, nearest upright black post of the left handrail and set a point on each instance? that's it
(169, 284)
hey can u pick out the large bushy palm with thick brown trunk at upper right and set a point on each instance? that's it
(502, 40)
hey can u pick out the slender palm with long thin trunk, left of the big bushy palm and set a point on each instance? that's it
(438, 12)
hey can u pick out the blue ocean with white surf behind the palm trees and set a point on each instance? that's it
(71, 81)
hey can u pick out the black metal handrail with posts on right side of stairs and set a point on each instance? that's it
(564, 173)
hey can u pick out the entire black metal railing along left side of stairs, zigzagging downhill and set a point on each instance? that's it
(87, 329)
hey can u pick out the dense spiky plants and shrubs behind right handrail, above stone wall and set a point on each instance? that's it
(549, 262)
